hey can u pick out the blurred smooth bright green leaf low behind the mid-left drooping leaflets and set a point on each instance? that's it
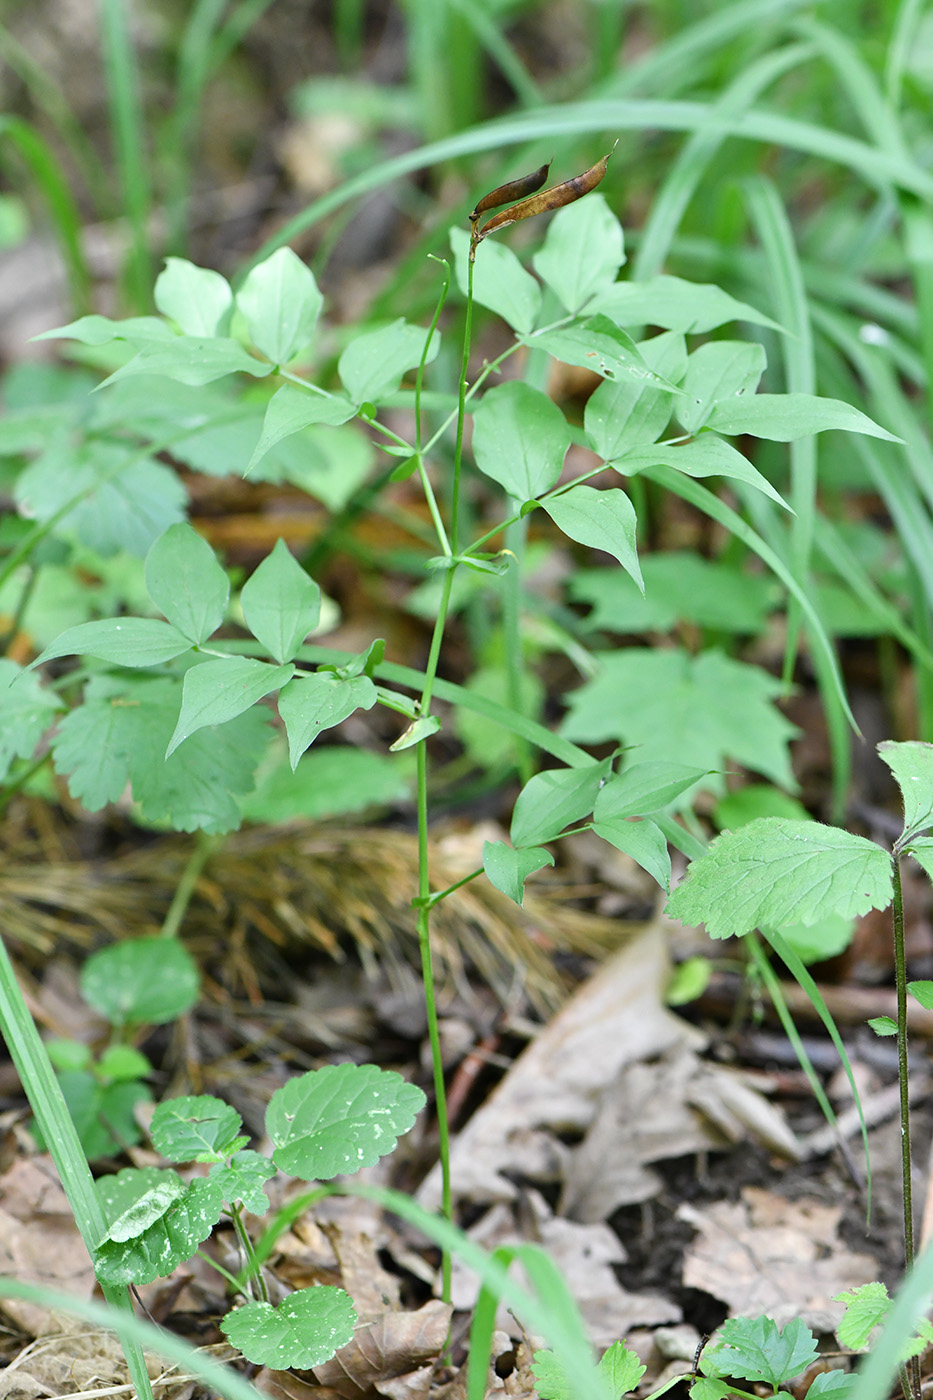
(329, 782)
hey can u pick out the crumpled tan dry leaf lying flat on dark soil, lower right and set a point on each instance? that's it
(767, 1255)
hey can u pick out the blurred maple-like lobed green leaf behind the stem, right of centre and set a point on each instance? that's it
(701, 712)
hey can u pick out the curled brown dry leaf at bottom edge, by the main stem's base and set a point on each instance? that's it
(387, 1356)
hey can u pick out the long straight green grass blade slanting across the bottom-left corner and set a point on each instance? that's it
(48, 1104)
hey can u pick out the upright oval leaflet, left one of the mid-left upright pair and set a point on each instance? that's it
(187, 583)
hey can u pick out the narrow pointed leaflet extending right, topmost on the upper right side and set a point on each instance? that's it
(676, 304)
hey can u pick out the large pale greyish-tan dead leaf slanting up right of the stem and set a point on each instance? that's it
(616, 1018)
